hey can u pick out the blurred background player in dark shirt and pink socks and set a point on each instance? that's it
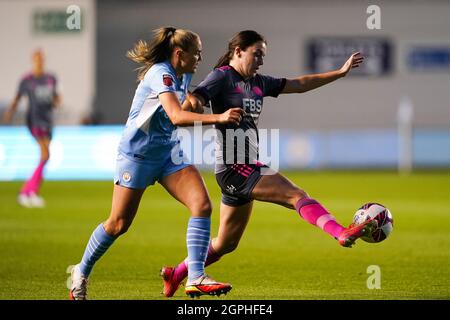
(40, 88)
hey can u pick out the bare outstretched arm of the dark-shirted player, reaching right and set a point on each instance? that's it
(313, 81)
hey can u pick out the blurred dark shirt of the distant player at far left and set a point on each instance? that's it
(40, 92)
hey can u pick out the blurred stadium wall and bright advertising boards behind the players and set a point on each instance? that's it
(352, 123)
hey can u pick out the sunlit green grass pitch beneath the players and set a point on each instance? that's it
(280, 256)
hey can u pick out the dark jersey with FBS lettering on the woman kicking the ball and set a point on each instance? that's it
(225, 88)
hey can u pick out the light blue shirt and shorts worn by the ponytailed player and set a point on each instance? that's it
(148, 140)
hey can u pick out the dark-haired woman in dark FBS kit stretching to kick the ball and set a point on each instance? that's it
(235, 83)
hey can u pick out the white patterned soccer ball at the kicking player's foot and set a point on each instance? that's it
(381, 215)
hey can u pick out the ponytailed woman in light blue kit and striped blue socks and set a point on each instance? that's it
(146, 153)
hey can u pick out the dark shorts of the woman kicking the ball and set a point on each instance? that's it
(237, 183)
